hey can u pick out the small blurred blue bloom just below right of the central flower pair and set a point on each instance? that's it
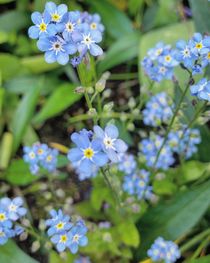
(127, 163)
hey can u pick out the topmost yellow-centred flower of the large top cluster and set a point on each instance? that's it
(56, 12)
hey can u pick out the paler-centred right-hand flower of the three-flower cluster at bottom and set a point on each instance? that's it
(77, 237)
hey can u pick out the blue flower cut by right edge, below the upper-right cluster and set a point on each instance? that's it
(201, 89)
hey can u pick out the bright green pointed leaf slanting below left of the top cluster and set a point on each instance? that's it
(62, 98)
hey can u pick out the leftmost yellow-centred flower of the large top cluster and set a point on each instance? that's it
(42, 27)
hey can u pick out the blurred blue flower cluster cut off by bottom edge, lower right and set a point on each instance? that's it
(162, 250)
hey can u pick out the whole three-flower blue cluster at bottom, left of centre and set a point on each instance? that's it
(64, 234)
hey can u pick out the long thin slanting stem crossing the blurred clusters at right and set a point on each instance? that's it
(171, 124)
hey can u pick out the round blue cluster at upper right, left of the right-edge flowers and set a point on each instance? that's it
(160, 62)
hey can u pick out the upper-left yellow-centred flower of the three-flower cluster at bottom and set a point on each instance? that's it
(59, 223)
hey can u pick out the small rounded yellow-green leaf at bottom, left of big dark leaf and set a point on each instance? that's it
(129, 233)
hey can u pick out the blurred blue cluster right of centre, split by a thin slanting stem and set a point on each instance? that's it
(150, 148)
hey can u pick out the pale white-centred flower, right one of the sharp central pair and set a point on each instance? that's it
(112, 146)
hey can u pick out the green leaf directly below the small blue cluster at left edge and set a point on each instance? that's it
(18, 173)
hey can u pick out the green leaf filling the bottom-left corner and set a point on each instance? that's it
(11, 253)
